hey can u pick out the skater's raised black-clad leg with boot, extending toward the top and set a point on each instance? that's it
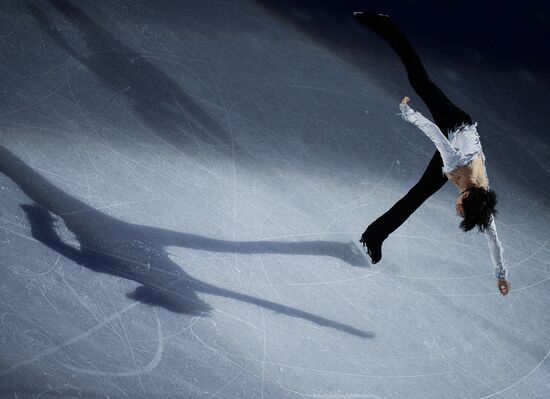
(446, 114)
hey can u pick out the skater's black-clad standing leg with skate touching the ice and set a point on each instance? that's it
(430, 182)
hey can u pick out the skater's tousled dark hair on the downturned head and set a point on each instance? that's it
(478, 207)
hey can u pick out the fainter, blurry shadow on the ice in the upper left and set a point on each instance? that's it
(155, 98)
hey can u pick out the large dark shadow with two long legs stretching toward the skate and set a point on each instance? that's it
(136, 252)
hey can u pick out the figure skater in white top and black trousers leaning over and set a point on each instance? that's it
(459, 157)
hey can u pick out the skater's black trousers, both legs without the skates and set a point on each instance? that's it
(446, 116)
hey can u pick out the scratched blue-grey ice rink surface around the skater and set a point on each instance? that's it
(182, 191)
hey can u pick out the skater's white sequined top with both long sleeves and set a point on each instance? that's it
(460, 149)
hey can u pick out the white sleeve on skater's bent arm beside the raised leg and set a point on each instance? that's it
(451, 156)
